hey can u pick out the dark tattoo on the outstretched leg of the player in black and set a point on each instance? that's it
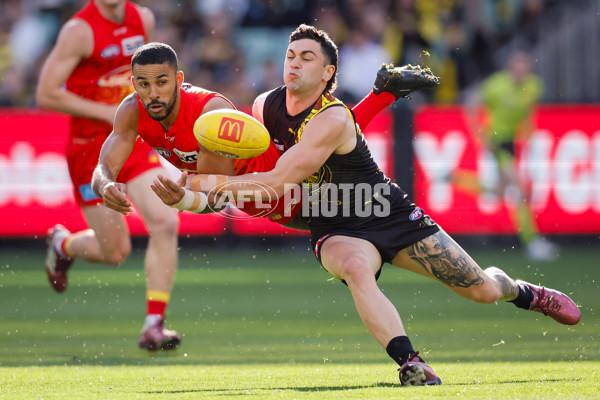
(446, 261)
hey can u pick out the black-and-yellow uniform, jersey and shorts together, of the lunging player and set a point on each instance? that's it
(349, 195)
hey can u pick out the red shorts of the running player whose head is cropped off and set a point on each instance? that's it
(82, 158)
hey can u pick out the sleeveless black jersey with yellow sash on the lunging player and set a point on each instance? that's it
(335, 182)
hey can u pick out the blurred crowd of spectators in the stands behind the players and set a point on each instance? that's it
(237, 47)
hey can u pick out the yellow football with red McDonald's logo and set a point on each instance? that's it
(231, 133)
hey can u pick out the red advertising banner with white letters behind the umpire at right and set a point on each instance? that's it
(560, 162)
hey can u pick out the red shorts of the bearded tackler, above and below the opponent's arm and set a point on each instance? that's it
(280, 211)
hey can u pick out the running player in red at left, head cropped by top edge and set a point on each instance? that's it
(86, 75)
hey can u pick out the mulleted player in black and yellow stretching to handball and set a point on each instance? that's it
(358, 218)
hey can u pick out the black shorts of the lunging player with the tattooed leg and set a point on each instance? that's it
(406, 226)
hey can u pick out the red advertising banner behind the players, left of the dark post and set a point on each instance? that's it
(36, 190)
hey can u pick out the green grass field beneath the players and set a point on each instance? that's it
(269, 323)
